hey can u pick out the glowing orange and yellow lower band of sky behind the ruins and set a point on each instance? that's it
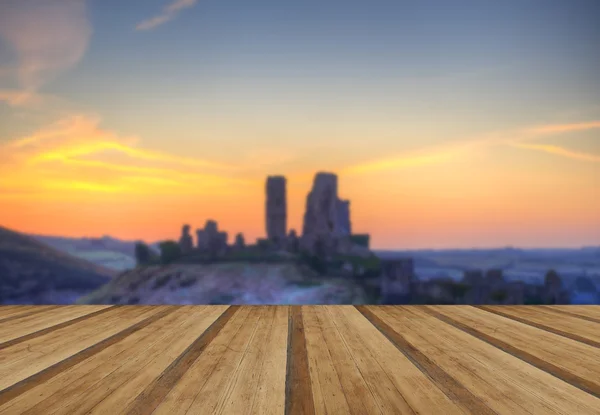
(76, 179)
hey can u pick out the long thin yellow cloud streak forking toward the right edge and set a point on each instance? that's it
(444, 153)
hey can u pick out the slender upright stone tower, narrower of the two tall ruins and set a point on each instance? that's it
(276, 209)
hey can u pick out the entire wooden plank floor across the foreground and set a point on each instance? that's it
(299, 360)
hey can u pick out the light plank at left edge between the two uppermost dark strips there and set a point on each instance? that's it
(14, 329)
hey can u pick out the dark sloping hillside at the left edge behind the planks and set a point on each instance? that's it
(34, 273)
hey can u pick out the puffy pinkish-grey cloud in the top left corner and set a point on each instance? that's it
(48, 37)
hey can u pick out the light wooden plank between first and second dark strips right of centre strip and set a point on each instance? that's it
(505, 383)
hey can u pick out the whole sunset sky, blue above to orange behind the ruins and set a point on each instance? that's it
(451, 124)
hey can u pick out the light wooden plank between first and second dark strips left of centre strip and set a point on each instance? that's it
(111, 389)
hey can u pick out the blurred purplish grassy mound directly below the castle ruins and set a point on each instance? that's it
(227, 283)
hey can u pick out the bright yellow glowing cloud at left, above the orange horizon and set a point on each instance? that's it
(76, 154)
